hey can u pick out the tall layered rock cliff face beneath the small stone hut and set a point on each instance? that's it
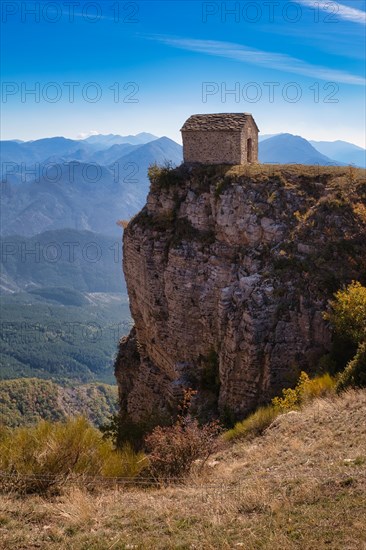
(228, 273)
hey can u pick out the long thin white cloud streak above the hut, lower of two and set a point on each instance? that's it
(271, 60)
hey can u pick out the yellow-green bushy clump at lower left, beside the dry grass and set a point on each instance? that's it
(40, 458)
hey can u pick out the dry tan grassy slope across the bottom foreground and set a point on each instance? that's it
(299, 486)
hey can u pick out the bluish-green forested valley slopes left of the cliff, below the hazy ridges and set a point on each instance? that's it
(61, 334)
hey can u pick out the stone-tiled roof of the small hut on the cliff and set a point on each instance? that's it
(217, 121)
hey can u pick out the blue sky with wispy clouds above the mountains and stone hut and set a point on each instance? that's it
(128, 67)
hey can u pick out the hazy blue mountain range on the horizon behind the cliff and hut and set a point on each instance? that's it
(57, 183)
